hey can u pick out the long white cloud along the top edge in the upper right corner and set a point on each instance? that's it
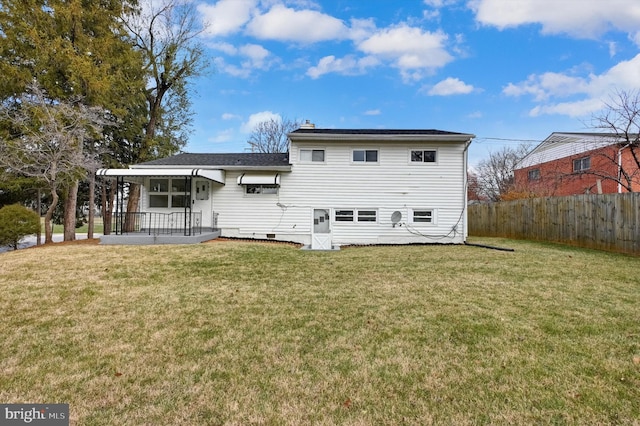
(579, 18)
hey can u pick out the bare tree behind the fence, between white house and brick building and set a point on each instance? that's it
(495, 173)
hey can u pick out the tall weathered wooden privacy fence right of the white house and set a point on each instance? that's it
(606, 222)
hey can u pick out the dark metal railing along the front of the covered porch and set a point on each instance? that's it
(153, 223)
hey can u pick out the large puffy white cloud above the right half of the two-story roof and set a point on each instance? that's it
(410, 49)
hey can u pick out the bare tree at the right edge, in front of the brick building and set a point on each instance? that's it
(620, 121)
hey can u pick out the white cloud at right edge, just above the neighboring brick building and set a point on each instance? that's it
(585, 94)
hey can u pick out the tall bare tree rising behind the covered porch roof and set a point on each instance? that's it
(165, 33)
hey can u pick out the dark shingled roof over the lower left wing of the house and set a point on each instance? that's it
(248, 159)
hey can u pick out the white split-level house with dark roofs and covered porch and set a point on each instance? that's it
(334, 187)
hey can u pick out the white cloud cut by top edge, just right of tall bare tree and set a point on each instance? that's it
(226, 16)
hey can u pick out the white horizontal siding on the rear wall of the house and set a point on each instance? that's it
(340, 185)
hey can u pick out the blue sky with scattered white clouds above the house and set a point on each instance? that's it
(504, 70)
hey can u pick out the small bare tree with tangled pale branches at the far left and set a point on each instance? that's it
(45, 141)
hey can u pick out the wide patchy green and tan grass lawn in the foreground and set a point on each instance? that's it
(242, 333)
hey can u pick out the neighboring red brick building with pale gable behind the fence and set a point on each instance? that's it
(577, 163)
